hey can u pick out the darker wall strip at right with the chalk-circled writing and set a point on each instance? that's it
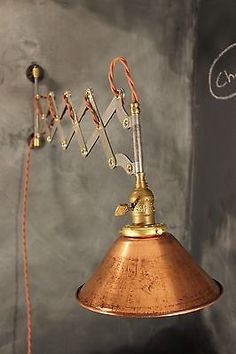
(214, 207)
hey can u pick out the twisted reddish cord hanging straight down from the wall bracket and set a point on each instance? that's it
(24, 247)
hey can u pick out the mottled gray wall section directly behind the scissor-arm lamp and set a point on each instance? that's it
(71, 201)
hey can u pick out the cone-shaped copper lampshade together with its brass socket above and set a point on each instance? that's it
(147, 273)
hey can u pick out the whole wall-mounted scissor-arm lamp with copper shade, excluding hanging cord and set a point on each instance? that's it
(146, 273)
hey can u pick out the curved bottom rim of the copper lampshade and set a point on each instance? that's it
(150, 315)
